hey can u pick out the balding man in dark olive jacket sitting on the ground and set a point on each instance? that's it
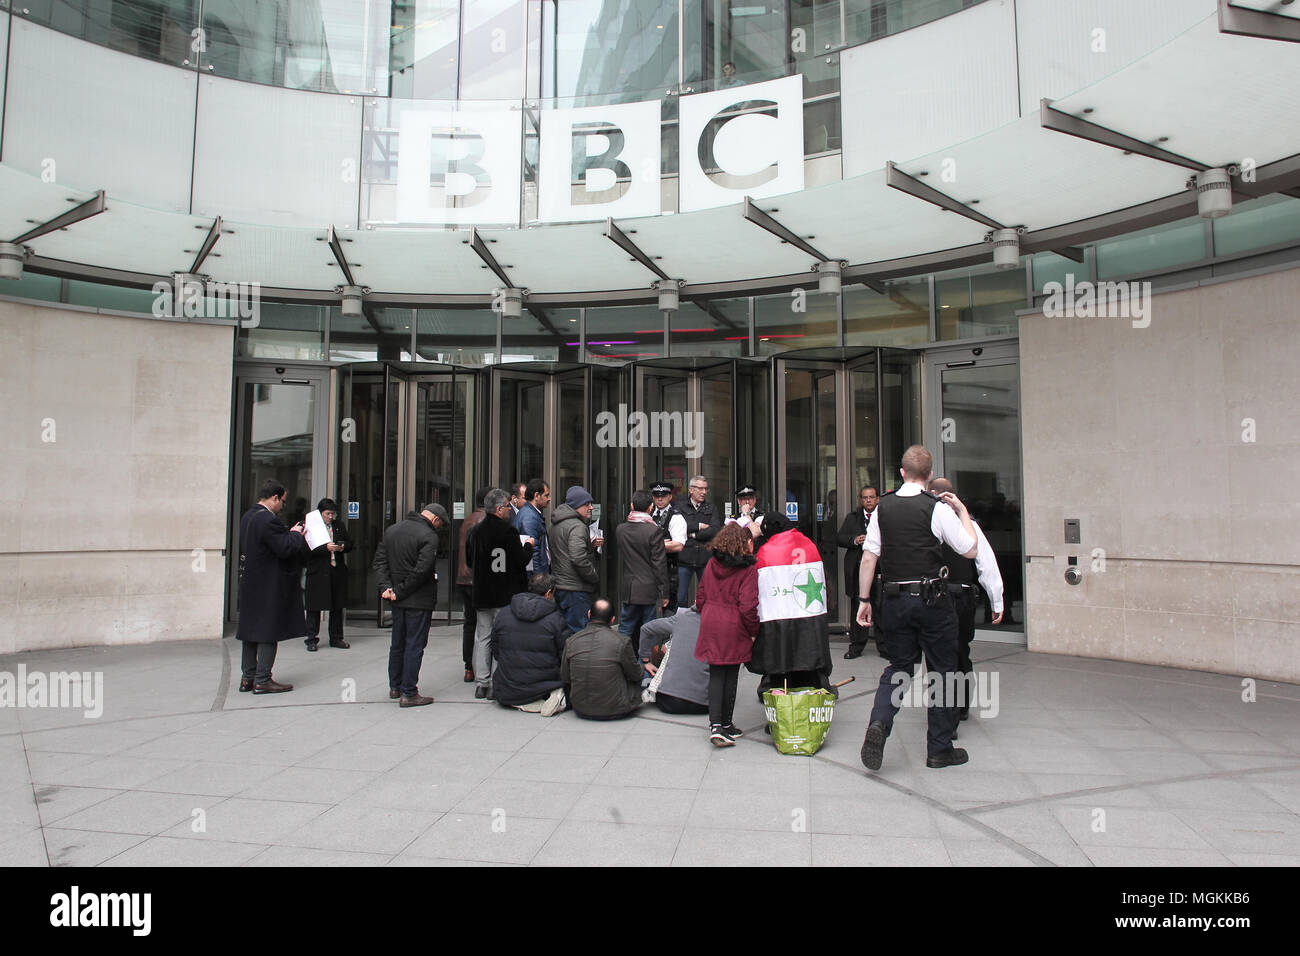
(601, 673)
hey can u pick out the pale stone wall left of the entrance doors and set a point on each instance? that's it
(116, 436)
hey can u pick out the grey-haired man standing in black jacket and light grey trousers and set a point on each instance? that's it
(497, 561)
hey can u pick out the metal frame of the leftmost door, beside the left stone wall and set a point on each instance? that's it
(263, 373)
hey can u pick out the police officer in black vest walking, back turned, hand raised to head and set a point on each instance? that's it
(907, 537)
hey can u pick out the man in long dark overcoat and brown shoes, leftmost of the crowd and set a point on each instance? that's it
(271, 603)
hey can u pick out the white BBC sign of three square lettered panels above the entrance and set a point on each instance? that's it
(463, 167)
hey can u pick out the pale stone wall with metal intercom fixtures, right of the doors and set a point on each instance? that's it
(1145, 435)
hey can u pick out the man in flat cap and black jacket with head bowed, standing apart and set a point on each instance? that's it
(404, 566)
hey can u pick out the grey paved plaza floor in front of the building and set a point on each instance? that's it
(1085, 764)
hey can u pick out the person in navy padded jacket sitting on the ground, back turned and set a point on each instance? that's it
(528, 646)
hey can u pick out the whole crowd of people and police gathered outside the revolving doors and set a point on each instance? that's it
(539, 635)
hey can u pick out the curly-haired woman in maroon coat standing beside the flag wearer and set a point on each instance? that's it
(729, 622)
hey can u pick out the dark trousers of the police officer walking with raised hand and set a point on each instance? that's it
(912, 630)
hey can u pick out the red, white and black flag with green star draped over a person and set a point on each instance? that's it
(792, 608)
